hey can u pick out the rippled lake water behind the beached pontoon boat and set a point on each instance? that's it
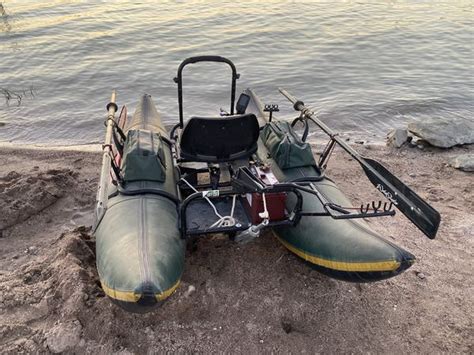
(365, 66)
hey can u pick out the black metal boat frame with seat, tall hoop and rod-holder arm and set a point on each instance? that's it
(216, 141)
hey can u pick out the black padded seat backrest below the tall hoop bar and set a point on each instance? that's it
(219, 139)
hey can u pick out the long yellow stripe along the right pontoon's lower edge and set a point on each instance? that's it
(389, 265)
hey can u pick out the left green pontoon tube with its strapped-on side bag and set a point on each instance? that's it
(140, 253)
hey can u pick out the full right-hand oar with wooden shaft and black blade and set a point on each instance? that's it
(425, 217)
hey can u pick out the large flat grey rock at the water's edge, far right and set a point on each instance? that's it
(444, 133)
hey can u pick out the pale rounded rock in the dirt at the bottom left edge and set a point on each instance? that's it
(64, 336)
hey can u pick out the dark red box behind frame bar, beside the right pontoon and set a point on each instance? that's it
(275, 206)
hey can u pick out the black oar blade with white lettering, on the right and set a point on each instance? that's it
(417, 210)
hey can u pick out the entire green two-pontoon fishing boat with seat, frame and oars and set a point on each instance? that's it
(238, 173)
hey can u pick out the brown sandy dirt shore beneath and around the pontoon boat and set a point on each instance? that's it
(234, 298)
